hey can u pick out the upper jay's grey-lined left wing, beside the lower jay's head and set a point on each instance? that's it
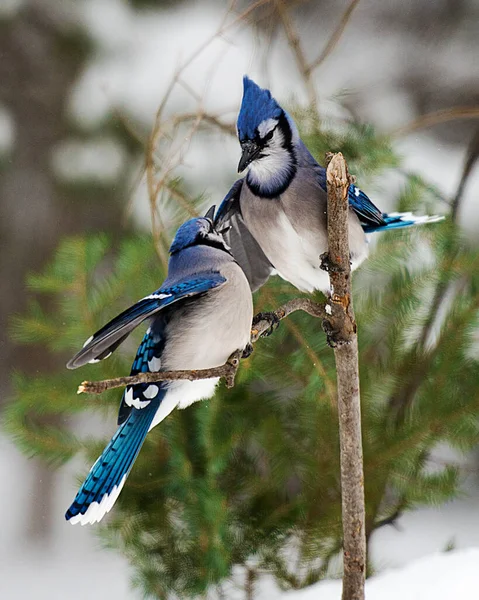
(246, 250)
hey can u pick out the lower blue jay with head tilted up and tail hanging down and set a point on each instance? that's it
(199, 316)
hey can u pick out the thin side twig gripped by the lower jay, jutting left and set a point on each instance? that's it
(226, 371)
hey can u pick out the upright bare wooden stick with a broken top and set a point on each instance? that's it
(341, 328)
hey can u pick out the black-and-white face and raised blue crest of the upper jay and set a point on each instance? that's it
(267, 136)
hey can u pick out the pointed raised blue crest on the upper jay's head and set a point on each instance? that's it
(257, 106)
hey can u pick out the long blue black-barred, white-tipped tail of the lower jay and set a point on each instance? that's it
(103, 484)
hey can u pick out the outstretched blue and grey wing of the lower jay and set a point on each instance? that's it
(109, 337)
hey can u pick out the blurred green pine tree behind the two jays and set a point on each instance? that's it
(250, 479)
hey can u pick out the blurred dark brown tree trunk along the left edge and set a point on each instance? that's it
(38, 64)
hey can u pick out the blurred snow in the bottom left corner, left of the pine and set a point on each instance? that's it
(69, 563)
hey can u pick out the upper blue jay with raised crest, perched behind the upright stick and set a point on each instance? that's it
(277, 213)
